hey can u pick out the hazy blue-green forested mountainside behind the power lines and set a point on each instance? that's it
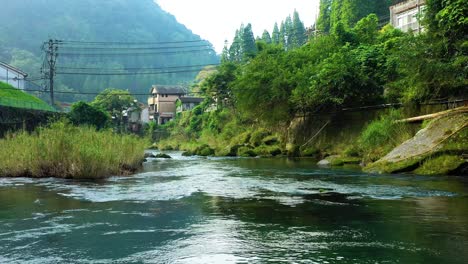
(26, 24)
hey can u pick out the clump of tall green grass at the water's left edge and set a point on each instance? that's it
(65, 151)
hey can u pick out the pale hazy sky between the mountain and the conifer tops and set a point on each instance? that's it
(217, 20)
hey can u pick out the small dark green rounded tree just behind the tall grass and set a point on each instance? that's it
(86, 114)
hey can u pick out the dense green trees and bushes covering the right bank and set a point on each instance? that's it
(350, 62)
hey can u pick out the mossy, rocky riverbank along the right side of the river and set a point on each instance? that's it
(379, 138)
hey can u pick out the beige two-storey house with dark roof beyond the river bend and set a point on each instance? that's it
(162, 102)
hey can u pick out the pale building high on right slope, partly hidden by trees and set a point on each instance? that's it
(404, 15)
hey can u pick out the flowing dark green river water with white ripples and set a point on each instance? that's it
(221, 210)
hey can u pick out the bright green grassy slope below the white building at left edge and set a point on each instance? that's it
(9, 96)
